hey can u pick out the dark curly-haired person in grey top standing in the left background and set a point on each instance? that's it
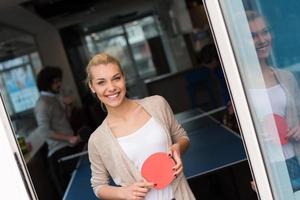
(51, 113)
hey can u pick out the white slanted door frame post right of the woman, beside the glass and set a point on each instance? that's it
(237, 92)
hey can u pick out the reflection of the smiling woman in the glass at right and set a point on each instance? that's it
(280, 92)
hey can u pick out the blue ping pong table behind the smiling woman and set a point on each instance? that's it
(213, 146)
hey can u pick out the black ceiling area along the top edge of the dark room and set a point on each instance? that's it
(63, 13)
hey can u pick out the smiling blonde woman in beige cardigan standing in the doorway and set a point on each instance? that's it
(132, 130)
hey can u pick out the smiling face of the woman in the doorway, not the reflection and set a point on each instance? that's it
(108, 83)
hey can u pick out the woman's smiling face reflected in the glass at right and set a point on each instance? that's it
(262, 37)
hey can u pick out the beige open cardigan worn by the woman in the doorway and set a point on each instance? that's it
(108, 158)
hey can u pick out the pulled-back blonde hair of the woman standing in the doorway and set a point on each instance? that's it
(100, 59)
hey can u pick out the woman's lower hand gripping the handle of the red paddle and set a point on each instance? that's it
(137, 190)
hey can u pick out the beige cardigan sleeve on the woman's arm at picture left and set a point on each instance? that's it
(100, 175)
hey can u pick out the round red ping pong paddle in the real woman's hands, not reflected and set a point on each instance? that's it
(158, 169)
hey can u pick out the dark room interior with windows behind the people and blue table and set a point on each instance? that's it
(157, 43)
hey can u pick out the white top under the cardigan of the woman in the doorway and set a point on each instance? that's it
(139, 145)
